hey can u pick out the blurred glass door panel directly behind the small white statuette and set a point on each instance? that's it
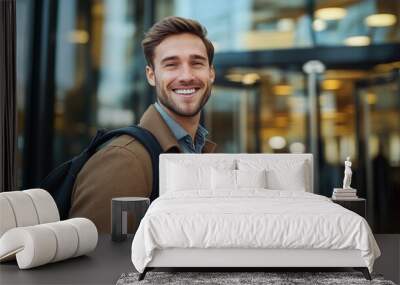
(338, 129)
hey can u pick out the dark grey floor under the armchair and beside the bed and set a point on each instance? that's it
(105, 266)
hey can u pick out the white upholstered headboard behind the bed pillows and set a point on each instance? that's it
(212, 158)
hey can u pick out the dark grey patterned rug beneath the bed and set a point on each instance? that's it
(229, 278)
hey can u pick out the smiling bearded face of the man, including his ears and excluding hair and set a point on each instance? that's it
(181, 74)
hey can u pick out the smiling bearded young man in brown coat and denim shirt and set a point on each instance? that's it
(179, 66)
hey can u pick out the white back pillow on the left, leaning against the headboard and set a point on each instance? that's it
(182, 177)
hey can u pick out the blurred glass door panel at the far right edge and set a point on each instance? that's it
(379, 104)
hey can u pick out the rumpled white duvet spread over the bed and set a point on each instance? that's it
(252, 218)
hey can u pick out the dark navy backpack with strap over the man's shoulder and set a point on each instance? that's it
(60, 182)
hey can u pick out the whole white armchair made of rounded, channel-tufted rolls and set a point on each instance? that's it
(31, 230)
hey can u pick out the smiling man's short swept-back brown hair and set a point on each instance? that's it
(174, 26)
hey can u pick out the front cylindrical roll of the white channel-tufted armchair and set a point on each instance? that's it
(40, 244)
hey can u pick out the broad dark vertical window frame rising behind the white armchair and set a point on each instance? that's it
(39, 119)
